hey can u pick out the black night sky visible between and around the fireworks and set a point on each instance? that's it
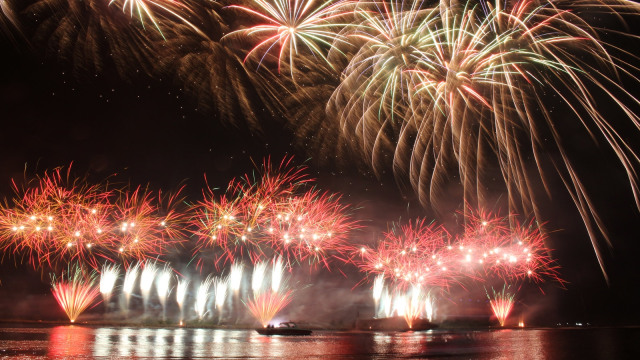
(146, 130)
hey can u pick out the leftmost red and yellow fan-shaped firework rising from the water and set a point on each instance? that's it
(75, 291)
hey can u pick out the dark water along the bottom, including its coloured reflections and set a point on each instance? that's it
(81, 342)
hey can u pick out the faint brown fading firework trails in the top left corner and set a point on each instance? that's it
(91, 36)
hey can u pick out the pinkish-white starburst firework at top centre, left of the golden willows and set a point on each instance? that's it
(291, 24)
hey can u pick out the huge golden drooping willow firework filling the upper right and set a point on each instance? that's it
(449, 91)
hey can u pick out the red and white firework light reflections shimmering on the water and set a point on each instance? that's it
(80, 342)
